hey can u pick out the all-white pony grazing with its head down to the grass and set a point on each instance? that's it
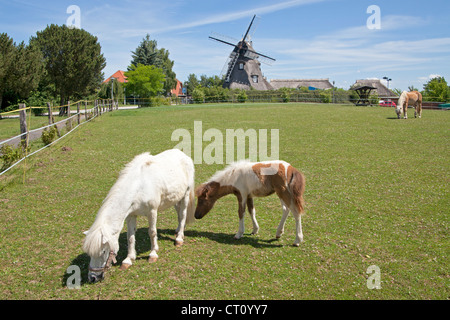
(148, 184)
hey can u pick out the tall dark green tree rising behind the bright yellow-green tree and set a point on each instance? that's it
(148, 54)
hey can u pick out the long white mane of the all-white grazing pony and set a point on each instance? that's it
(100, 233)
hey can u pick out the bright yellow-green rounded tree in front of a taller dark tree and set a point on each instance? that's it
(144, 81)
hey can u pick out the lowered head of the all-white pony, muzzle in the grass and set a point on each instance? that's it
(102, 248)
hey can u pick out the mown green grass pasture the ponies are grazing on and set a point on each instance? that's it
(376, 194)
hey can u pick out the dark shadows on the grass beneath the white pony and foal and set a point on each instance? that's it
(143, 246)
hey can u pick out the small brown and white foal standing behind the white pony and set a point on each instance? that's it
(246, 180)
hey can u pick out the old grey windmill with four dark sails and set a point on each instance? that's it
(242, 70)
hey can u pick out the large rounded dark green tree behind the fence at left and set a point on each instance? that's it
(73, 61)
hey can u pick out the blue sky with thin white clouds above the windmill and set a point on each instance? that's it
(308, 38)
